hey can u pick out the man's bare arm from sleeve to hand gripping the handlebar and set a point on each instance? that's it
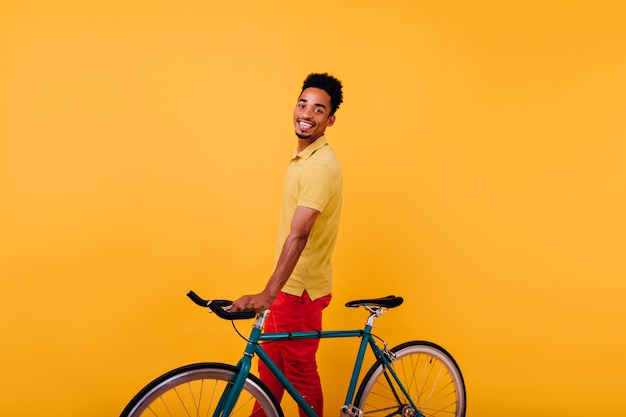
(301, 225)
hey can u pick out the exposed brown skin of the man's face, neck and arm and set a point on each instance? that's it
(311, 117)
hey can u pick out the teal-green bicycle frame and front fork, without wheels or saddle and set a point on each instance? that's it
(231, 393)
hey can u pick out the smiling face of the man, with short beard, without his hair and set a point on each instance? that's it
(312, 114)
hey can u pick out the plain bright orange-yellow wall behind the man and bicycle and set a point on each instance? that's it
(142, 151)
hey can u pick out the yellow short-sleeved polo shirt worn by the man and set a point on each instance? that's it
(314, 180)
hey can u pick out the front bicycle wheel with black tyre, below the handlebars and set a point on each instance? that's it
(195, 390)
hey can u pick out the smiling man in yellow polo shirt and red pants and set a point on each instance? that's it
(300, 287)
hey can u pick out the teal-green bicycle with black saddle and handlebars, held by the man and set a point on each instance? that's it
(416, 378)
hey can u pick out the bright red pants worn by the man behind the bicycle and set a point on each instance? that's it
(296, 358)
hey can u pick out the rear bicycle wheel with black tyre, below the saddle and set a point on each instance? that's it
(428, 373)
